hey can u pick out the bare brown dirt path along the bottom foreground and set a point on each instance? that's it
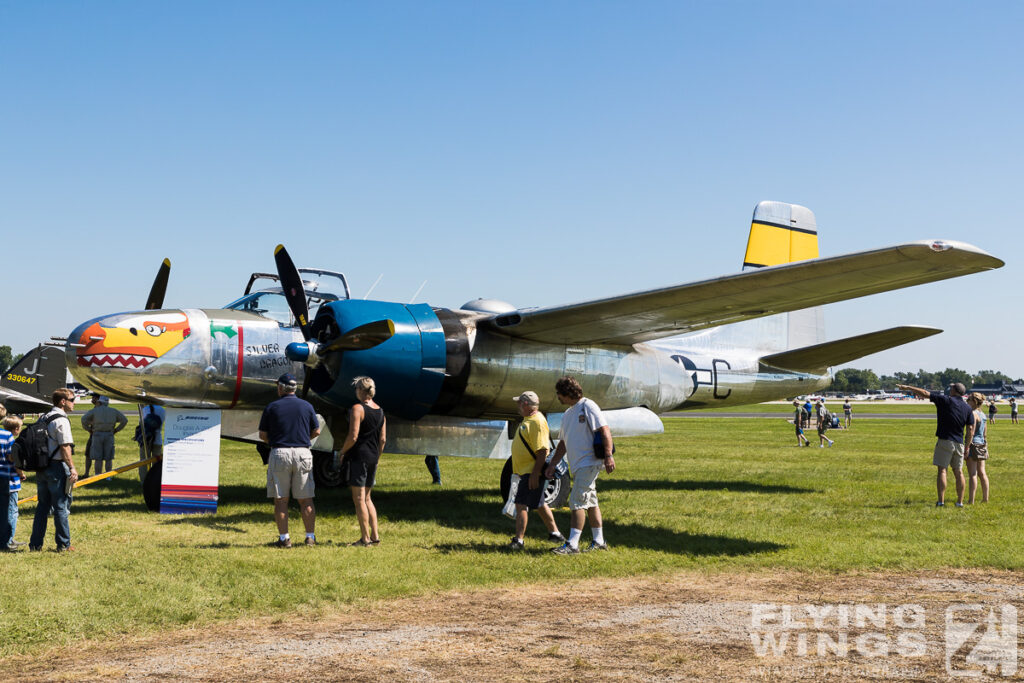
(679, 627)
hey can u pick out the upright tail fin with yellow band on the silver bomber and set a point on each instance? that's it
(780, 234)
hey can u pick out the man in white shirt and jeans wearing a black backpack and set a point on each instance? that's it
(54, 484)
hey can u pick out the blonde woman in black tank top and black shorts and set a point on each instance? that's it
(362, 451)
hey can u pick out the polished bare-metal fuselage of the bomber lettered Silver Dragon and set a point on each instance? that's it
(231, 360)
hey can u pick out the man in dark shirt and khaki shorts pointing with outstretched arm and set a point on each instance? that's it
(953, 416)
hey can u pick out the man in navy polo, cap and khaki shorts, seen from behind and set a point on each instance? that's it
(289, 425)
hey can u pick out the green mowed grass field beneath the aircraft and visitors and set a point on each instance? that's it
(714, 495)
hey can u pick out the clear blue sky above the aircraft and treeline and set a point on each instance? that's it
(538, 153)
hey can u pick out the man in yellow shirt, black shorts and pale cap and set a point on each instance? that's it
(530, 451)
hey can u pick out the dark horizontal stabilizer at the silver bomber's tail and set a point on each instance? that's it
(817, 359)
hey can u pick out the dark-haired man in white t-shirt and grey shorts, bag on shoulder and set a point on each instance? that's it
(580, 423)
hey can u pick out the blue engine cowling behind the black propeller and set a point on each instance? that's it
(409, 368)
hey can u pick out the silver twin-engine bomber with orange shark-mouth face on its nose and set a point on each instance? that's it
(446, 378)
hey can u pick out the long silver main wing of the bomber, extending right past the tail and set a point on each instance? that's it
(674, 311)
